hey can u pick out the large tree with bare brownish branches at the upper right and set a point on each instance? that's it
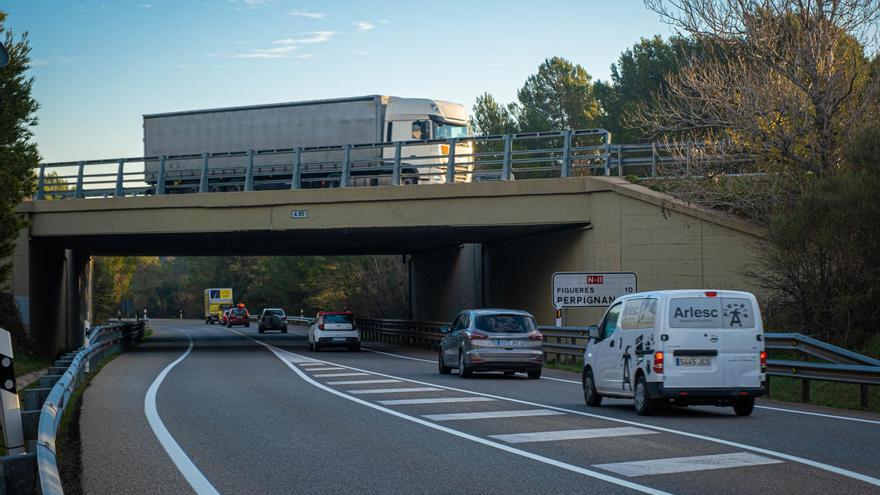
(786, 80)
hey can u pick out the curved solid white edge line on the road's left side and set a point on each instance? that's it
(193, 476)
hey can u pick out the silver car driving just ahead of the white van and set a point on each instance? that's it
(492, 340)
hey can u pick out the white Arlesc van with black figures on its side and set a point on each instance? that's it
(679, 347)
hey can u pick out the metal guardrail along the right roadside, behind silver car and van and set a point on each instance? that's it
(566, 344)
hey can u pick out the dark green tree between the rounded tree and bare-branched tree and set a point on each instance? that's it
(640, 74)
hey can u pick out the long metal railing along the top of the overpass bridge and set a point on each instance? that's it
(464, 159)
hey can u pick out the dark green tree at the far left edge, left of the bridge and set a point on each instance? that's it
(18, 154)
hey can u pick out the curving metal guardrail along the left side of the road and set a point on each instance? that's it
(101, 341)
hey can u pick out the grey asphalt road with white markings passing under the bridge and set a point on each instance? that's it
(250, 413)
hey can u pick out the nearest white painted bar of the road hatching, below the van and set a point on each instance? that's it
(687, 464)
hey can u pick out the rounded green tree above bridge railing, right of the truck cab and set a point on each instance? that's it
(559, 96)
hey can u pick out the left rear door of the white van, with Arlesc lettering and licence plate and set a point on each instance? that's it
(695, 343)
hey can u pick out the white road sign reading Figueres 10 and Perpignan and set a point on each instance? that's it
(591, 289)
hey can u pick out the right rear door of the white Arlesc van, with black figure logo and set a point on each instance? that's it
(741, 325)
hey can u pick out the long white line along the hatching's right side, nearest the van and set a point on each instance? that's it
(789, 457)
